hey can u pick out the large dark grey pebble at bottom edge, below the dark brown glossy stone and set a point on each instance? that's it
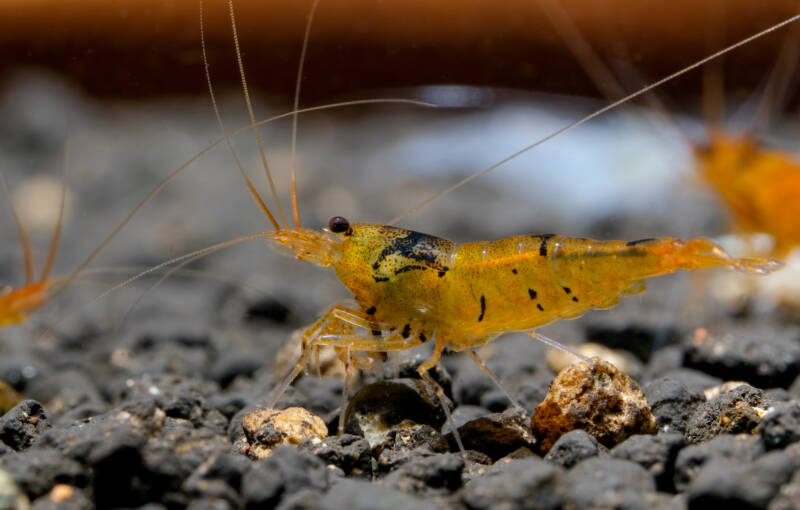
(517, 484)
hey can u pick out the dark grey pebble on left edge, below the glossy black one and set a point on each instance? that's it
(38, 469)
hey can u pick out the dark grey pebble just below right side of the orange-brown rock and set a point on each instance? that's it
(656, 453)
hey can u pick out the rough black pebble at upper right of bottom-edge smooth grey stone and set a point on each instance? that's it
(439, 473)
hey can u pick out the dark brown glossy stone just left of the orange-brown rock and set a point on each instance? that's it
(498, 434)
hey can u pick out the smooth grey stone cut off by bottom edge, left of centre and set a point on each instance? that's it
(362, 495)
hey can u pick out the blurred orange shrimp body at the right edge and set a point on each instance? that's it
(760, 186)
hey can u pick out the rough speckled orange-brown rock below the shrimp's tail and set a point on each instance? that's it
(593, 396)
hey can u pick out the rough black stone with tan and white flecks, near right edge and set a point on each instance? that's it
(739, 410)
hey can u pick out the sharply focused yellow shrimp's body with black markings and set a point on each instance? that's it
(413, 287)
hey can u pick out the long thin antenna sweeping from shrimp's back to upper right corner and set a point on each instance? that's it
(591, 116)
